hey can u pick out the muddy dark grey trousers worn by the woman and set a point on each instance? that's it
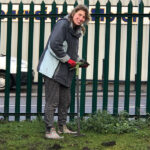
(56, 96)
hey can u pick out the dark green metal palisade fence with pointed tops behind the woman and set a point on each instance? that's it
(97, 15)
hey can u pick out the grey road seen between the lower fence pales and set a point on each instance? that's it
(88, 102)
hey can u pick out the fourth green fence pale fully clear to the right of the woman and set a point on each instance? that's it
(128, 58)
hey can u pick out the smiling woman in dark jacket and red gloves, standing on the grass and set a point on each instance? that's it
(61, 54)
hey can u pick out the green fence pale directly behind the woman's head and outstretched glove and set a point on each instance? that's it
(83, 72)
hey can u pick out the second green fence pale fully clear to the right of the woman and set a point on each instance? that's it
(106, 64)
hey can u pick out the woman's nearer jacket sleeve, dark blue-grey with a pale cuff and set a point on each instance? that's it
(57, 39)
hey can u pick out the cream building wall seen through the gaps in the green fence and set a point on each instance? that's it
(90, 53)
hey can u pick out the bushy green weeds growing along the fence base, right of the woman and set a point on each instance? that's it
(103, 122)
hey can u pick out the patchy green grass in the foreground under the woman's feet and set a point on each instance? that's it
(29, 135)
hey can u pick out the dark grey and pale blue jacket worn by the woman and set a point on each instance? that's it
(61, 46)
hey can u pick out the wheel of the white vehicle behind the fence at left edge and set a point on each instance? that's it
(2, 81)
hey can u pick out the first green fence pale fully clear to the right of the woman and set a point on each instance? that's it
(96, 55)
